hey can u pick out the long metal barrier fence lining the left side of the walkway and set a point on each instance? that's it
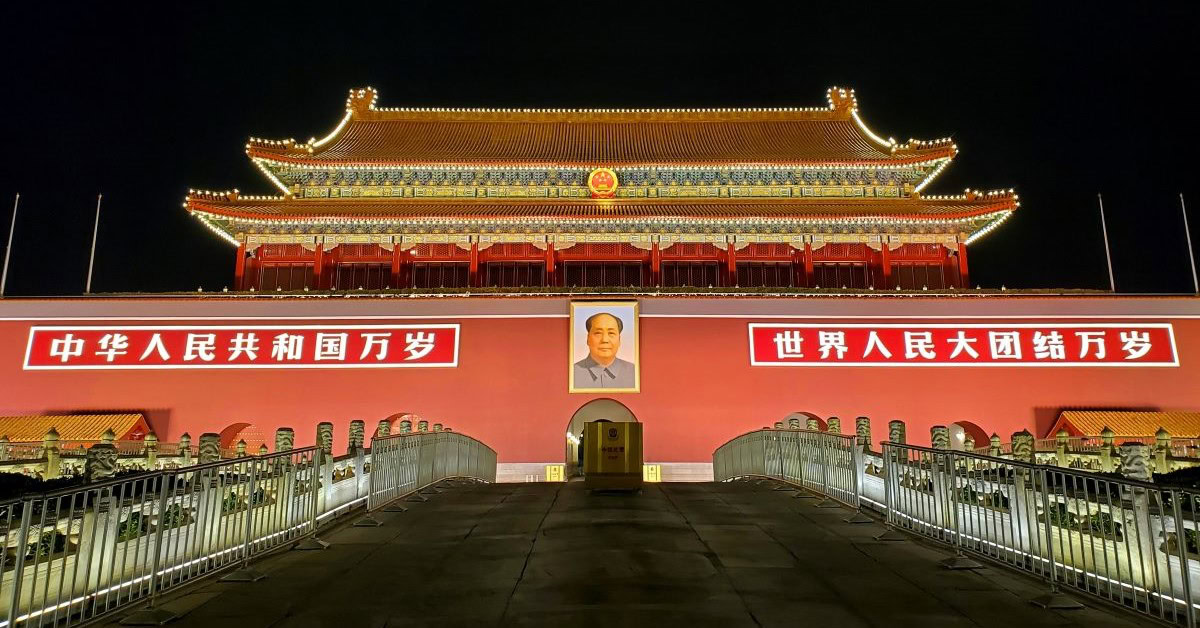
(74, 555)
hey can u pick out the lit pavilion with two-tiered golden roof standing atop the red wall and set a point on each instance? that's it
(458, 199)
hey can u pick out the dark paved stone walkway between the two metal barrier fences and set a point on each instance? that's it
(693, 555)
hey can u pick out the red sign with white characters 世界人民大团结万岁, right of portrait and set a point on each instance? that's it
(964, 345)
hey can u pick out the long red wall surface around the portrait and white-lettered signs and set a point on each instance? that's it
(511, 388)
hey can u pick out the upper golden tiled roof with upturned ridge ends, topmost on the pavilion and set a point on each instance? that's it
(602, 137)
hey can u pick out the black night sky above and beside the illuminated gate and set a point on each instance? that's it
(1059, 103)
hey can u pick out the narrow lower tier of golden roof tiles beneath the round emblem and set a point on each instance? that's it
(721, 208)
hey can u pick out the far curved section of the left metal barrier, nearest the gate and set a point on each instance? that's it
(406, 463)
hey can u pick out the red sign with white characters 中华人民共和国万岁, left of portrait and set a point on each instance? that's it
(242, 348)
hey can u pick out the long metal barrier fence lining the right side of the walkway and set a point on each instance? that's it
(1131, 543)
